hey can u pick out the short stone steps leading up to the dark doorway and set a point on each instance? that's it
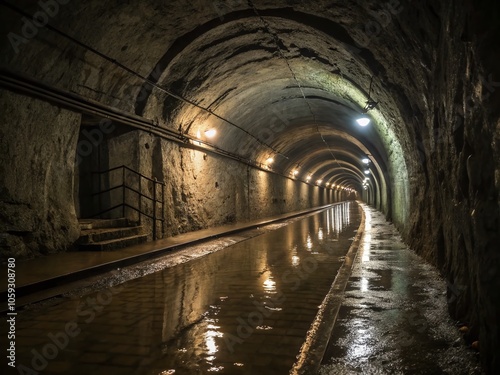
(109, 234)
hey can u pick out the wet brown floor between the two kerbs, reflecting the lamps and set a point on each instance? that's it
(244, 309)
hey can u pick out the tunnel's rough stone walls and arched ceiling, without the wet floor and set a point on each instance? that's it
(183, 116)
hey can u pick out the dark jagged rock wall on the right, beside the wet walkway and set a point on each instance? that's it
(456, 221)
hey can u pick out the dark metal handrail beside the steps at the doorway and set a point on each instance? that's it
(155, 200)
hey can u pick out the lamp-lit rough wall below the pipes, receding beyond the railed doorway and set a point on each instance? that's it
(205, 189)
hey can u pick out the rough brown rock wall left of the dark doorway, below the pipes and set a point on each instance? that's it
(37, 214)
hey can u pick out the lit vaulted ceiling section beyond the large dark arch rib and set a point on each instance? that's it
(285, 80)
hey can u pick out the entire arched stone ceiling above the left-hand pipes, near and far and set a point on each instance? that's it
(284, 79)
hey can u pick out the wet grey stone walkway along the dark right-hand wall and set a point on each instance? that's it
(394, 319)
